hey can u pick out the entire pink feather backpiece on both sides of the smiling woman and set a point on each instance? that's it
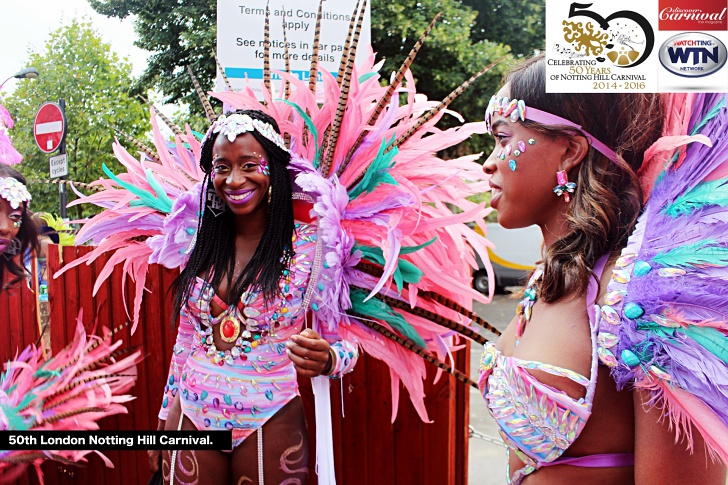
(393, 264)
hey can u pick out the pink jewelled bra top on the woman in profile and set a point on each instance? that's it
(538, 422)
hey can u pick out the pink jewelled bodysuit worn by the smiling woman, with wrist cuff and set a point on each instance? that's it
(242, 390)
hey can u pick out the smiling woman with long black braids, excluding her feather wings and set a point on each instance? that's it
(242, 303)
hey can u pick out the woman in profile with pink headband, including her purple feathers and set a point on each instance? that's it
(639, 304)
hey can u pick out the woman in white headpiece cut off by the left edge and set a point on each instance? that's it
(18, 232)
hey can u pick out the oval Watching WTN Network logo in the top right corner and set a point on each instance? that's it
(692, 54)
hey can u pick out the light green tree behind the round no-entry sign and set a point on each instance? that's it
(79, 67)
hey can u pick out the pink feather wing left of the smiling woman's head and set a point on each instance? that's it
(151, 211)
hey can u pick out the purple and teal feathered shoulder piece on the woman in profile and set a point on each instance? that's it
(665, 324)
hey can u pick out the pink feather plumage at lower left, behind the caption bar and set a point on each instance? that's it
(86, 381)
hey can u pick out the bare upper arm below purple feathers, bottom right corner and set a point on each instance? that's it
(661, 459)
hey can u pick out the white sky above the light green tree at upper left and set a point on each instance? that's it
(24, 27)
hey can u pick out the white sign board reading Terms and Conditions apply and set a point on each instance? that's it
(240, 38)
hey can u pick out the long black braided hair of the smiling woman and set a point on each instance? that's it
(215, 244)
